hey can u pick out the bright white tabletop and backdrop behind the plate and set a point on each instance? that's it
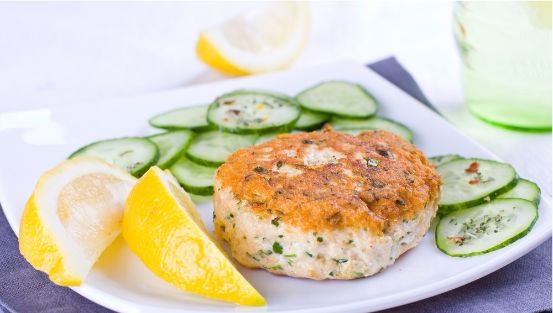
(73, 53)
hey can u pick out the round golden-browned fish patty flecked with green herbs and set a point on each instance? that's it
(325, 205)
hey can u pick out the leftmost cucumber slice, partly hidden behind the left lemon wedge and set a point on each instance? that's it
(133, 154)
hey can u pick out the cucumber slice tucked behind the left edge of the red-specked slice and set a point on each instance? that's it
(194, 117)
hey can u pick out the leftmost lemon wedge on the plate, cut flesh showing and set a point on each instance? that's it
(73, 214)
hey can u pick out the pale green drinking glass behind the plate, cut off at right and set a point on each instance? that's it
(506, 52)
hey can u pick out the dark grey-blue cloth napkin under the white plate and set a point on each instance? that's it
(523, 286)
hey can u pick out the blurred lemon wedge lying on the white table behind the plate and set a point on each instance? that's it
(263, 39)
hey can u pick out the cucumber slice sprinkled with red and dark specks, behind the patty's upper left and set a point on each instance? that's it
(253, 112)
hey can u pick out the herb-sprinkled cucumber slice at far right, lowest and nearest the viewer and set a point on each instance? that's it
(486, 227)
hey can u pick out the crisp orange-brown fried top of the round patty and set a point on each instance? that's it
(369, 181)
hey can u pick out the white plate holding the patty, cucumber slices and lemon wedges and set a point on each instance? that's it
(34, 141)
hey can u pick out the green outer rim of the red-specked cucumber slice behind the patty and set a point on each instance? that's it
(253, 131)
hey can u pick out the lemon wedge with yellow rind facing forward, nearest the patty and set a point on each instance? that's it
(163, 228)
